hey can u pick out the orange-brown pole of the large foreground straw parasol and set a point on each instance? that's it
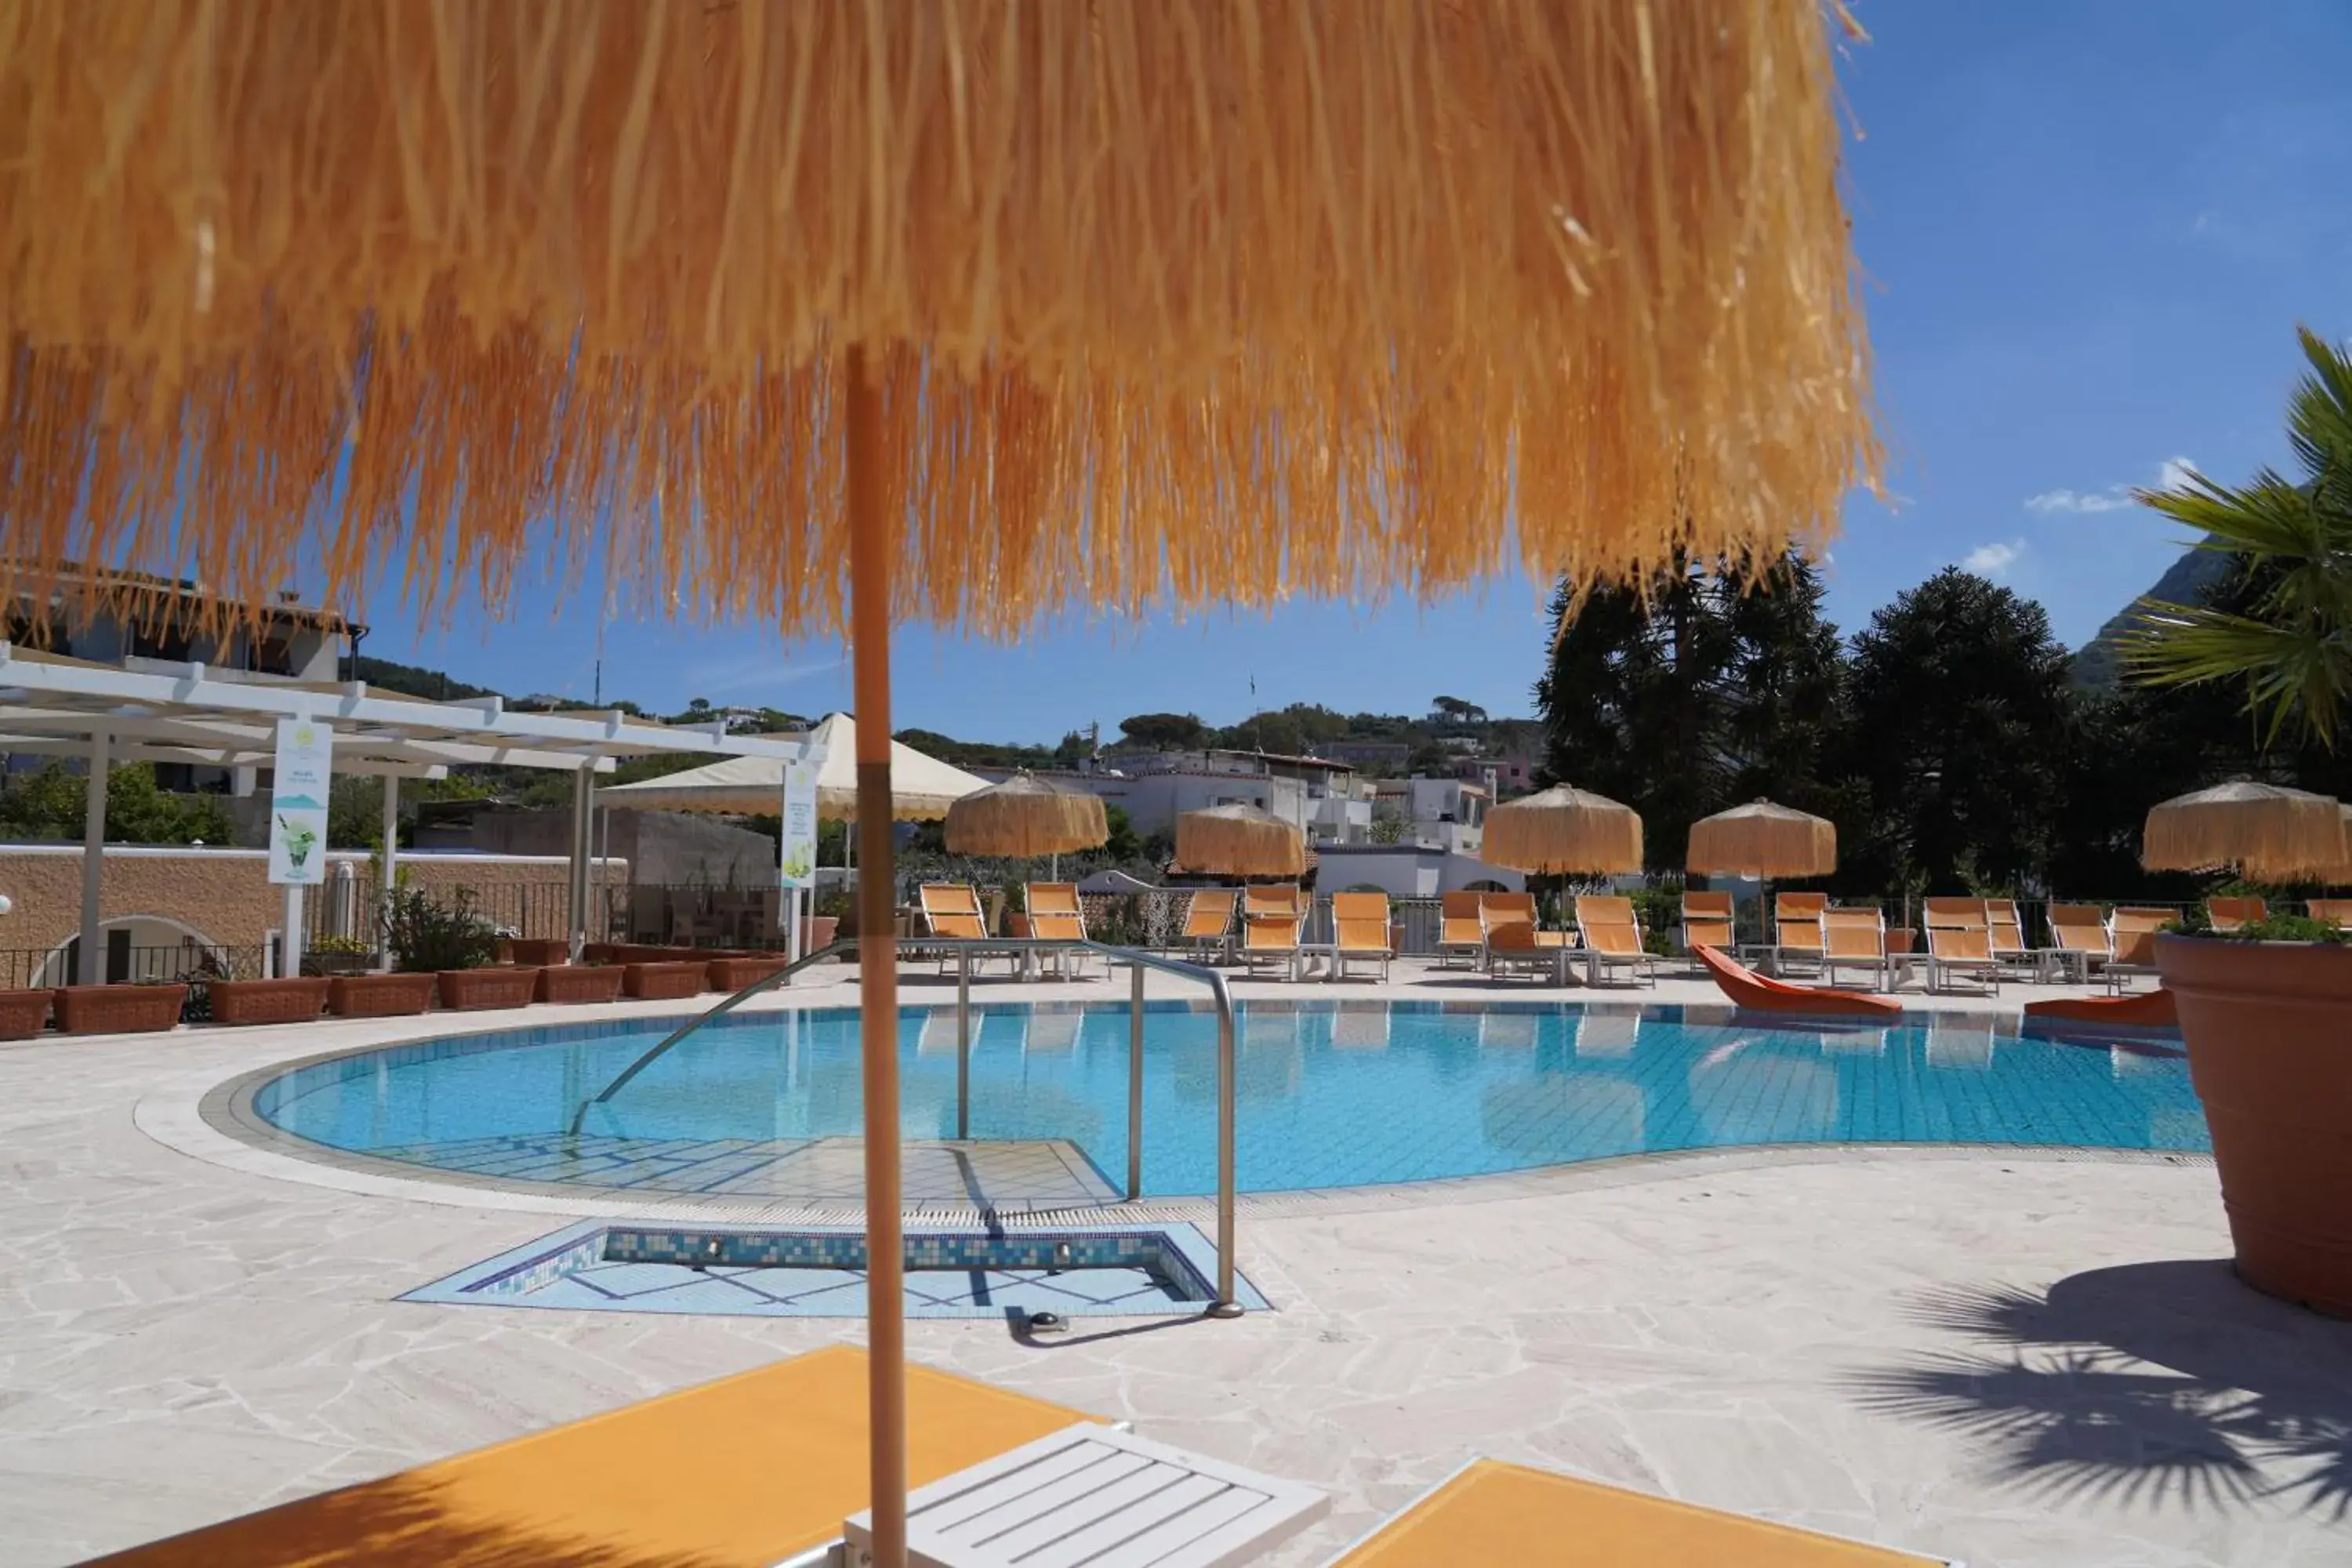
(878, 963)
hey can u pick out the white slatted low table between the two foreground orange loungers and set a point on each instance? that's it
(1097, 1499)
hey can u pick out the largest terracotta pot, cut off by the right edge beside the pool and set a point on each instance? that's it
(2271, 1052)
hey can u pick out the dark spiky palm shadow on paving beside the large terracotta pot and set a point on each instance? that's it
(2153, 1383)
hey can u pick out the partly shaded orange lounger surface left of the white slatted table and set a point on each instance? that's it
(728, 1475)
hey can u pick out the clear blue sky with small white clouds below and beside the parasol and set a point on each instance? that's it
(2090, 229)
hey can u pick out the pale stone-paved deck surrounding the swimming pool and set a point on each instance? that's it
(2003, 1355)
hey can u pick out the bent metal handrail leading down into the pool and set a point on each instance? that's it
(965, 949)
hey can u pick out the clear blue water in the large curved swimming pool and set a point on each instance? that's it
(1330, 1097)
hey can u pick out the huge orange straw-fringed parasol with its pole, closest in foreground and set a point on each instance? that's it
(855, 314)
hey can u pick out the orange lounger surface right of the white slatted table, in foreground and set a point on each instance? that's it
(1525, 1517)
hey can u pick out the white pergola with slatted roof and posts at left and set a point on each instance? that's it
(159, 711)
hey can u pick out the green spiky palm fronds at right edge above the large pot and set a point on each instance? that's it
(2292, 638)
